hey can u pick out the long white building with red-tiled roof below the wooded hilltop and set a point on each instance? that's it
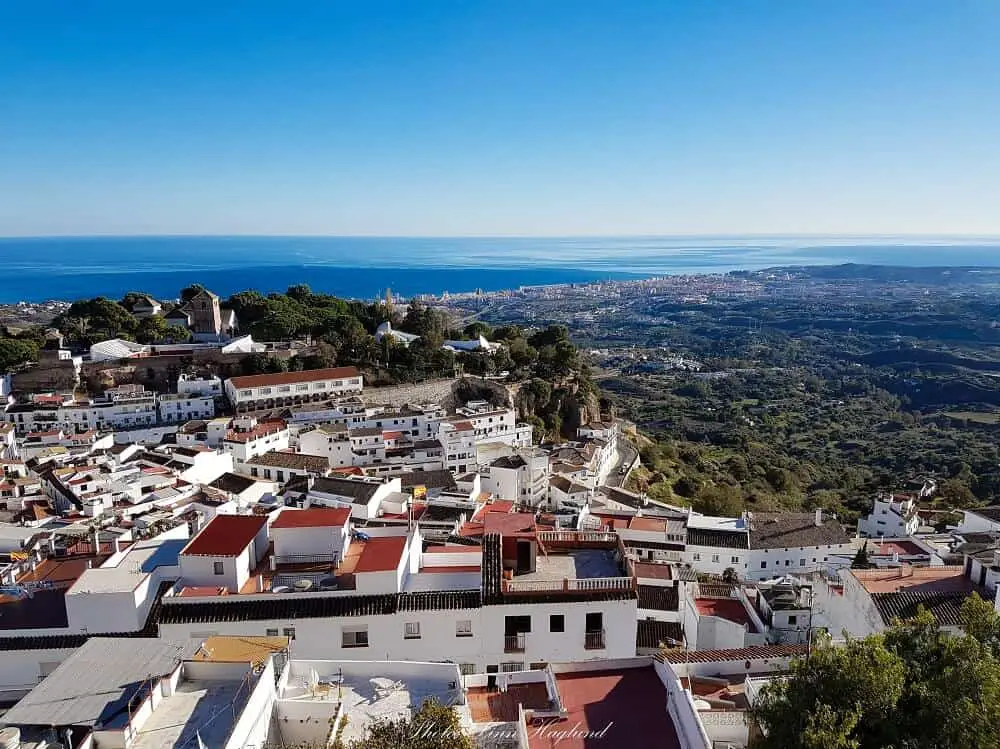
(265, 391)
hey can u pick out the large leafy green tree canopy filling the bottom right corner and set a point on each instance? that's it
(913, 687)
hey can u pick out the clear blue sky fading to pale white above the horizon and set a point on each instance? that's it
(531, 118)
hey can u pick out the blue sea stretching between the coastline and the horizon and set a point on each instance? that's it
(37, 269)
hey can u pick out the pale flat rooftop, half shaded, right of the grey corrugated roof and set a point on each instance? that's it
(196, 708)
